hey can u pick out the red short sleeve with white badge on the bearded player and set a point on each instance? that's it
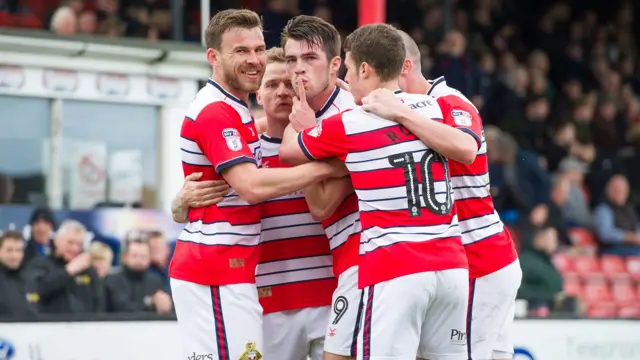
(219, 129)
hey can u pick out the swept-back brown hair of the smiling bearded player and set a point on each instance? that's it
(228, 19)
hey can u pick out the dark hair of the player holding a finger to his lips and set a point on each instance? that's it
(315, 32)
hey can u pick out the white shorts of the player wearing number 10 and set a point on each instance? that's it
(422, 314)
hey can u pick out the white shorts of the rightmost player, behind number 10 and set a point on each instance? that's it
(491, 309)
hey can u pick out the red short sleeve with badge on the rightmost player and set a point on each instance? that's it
(462, 115)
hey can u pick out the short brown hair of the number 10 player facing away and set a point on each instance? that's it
(380, 46)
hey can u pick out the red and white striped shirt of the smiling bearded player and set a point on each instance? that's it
(219, 245)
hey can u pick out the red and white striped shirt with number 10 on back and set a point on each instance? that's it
(409, 224)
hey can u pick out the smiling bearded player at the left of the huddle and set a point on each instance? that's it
(213, 268)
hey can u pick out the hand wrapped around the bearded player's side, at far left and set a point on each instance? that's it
(196, 194)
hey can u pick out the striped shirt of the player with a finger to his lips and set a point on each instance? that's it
(343, 226)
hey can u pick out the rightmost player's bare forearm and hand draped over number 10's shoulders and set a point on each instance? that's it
(450, 142)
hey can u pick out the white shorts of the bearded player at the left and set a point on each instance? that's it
(218, 322)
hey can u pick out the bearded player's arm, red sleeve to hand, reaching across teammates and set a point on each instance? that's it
(219, 136)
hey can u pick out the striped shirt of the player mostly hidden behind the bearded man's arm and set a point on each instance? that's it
(295, 269)
